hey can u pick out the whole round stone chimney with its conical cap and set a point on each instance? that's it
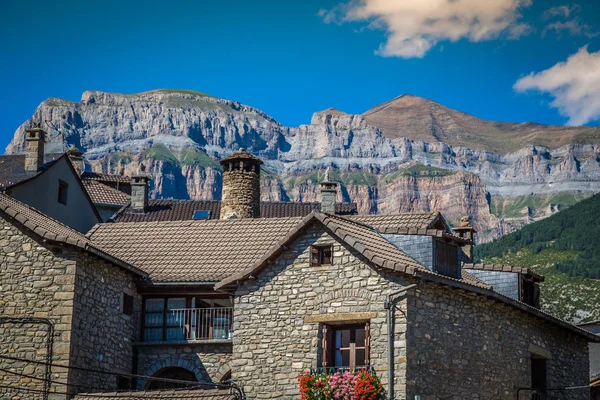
(240, 197)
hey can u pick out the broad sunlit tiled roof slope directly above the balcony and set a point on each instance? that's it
(192, 250)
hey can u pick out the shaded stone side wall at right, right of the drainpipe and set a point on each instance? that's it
(463, 345)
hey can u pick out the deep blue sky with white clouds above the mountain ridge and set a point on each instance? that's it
(292, 58)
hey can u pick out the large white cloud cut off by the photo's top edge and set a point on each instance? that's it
(414, 26)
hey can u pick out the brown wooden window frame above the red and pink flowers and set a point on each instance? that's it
(329, 349)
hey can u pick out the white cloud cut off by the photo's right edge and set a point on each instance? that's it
(574, 84)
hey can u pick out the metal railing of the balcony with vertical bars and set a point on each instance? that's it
(203, 323)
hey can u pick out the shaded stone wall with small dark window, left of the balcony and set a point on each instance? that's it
(102, 335)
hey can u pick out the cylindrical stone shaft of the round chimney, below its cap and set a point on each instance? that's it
(240, 195)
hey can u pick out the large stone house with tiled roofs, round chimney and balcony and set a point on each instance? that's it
(262, 300)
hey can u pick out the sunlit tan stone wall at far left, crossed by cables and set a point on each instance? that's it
(35, 282)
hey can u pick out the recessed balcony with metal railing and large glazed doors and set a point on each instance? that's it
(188, 324)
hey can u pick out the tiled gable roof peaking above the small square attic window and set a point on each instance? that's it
(362, 238)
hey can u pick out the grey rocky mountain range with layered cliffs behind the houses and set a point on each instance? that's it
(409, 154)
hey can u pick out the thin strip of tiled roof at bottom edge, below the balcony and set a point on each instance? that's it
(172, 394)
